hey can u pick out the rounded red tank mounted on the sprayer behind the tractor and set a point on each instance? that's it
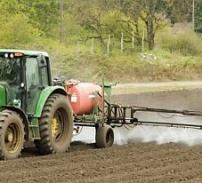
(84, 96)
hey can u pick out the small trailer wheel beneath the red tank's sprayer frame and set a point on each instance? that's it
(104, 136)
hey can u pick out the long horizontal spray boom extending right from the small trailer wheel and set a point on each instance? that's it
(126, 115)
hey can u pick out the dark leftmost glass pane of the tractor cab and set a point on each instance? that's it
(10, 70)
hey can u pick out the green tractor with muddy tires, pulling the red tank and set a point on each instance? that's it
(31, 107)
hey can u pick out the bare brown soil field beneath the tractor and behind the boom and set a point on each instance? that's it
(138, 162)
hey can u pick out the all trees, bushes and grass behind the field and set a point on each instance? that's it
(128, 40)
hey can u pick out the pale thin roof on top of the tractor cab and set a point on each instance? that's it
(25, 52)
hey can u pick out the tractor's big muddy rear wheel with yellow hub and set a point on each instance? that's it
(56, 115)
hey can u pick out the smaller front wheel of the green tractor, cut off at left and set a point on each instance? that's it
(11, 135)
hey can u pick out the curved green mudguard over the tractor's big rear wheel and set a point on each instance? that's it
(45, 93)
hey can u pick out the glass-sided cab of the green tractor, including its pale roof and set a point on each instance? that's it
(23, 74)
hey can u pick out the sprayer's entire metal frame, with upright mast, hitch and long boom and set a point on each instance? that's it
(117, 116)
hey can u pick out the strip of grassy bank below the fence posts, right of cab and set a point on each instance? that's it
(128, 68)
